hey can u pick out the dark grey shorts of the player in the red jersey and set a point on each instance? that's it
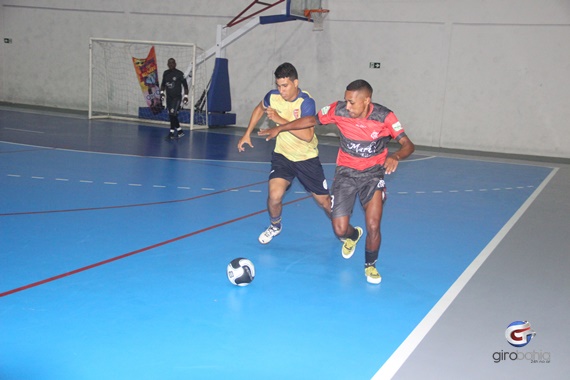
(350, 182)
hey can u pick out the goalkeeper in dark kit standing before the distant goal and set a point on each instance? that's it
(172, 82)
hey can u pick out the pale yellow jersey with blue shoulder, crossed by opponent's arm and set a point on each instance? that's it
(287, 143)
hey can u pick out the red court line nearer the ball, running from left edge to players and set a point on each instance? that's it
(116, 258)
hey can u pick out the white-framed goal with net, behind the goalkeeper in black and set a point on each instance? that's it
(125, 76)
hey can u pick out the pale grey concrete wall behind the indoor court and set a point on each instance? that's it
(489, 75)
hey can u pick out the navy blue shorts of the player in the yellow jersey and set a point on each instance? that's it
(309, 172)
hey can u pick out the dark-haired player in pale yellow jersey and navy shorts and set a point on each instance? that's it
(295, 154)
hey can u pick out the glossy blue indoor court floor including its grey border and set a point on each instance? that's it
(115, 244)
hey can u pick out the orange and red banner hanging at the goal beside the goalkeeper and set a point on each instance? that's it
(147, 74)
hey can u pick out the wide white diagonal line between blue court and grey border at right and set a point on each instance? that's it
(397, 359)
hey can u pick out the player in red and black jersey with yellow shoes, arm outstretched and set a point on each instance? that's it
(365, 130)
